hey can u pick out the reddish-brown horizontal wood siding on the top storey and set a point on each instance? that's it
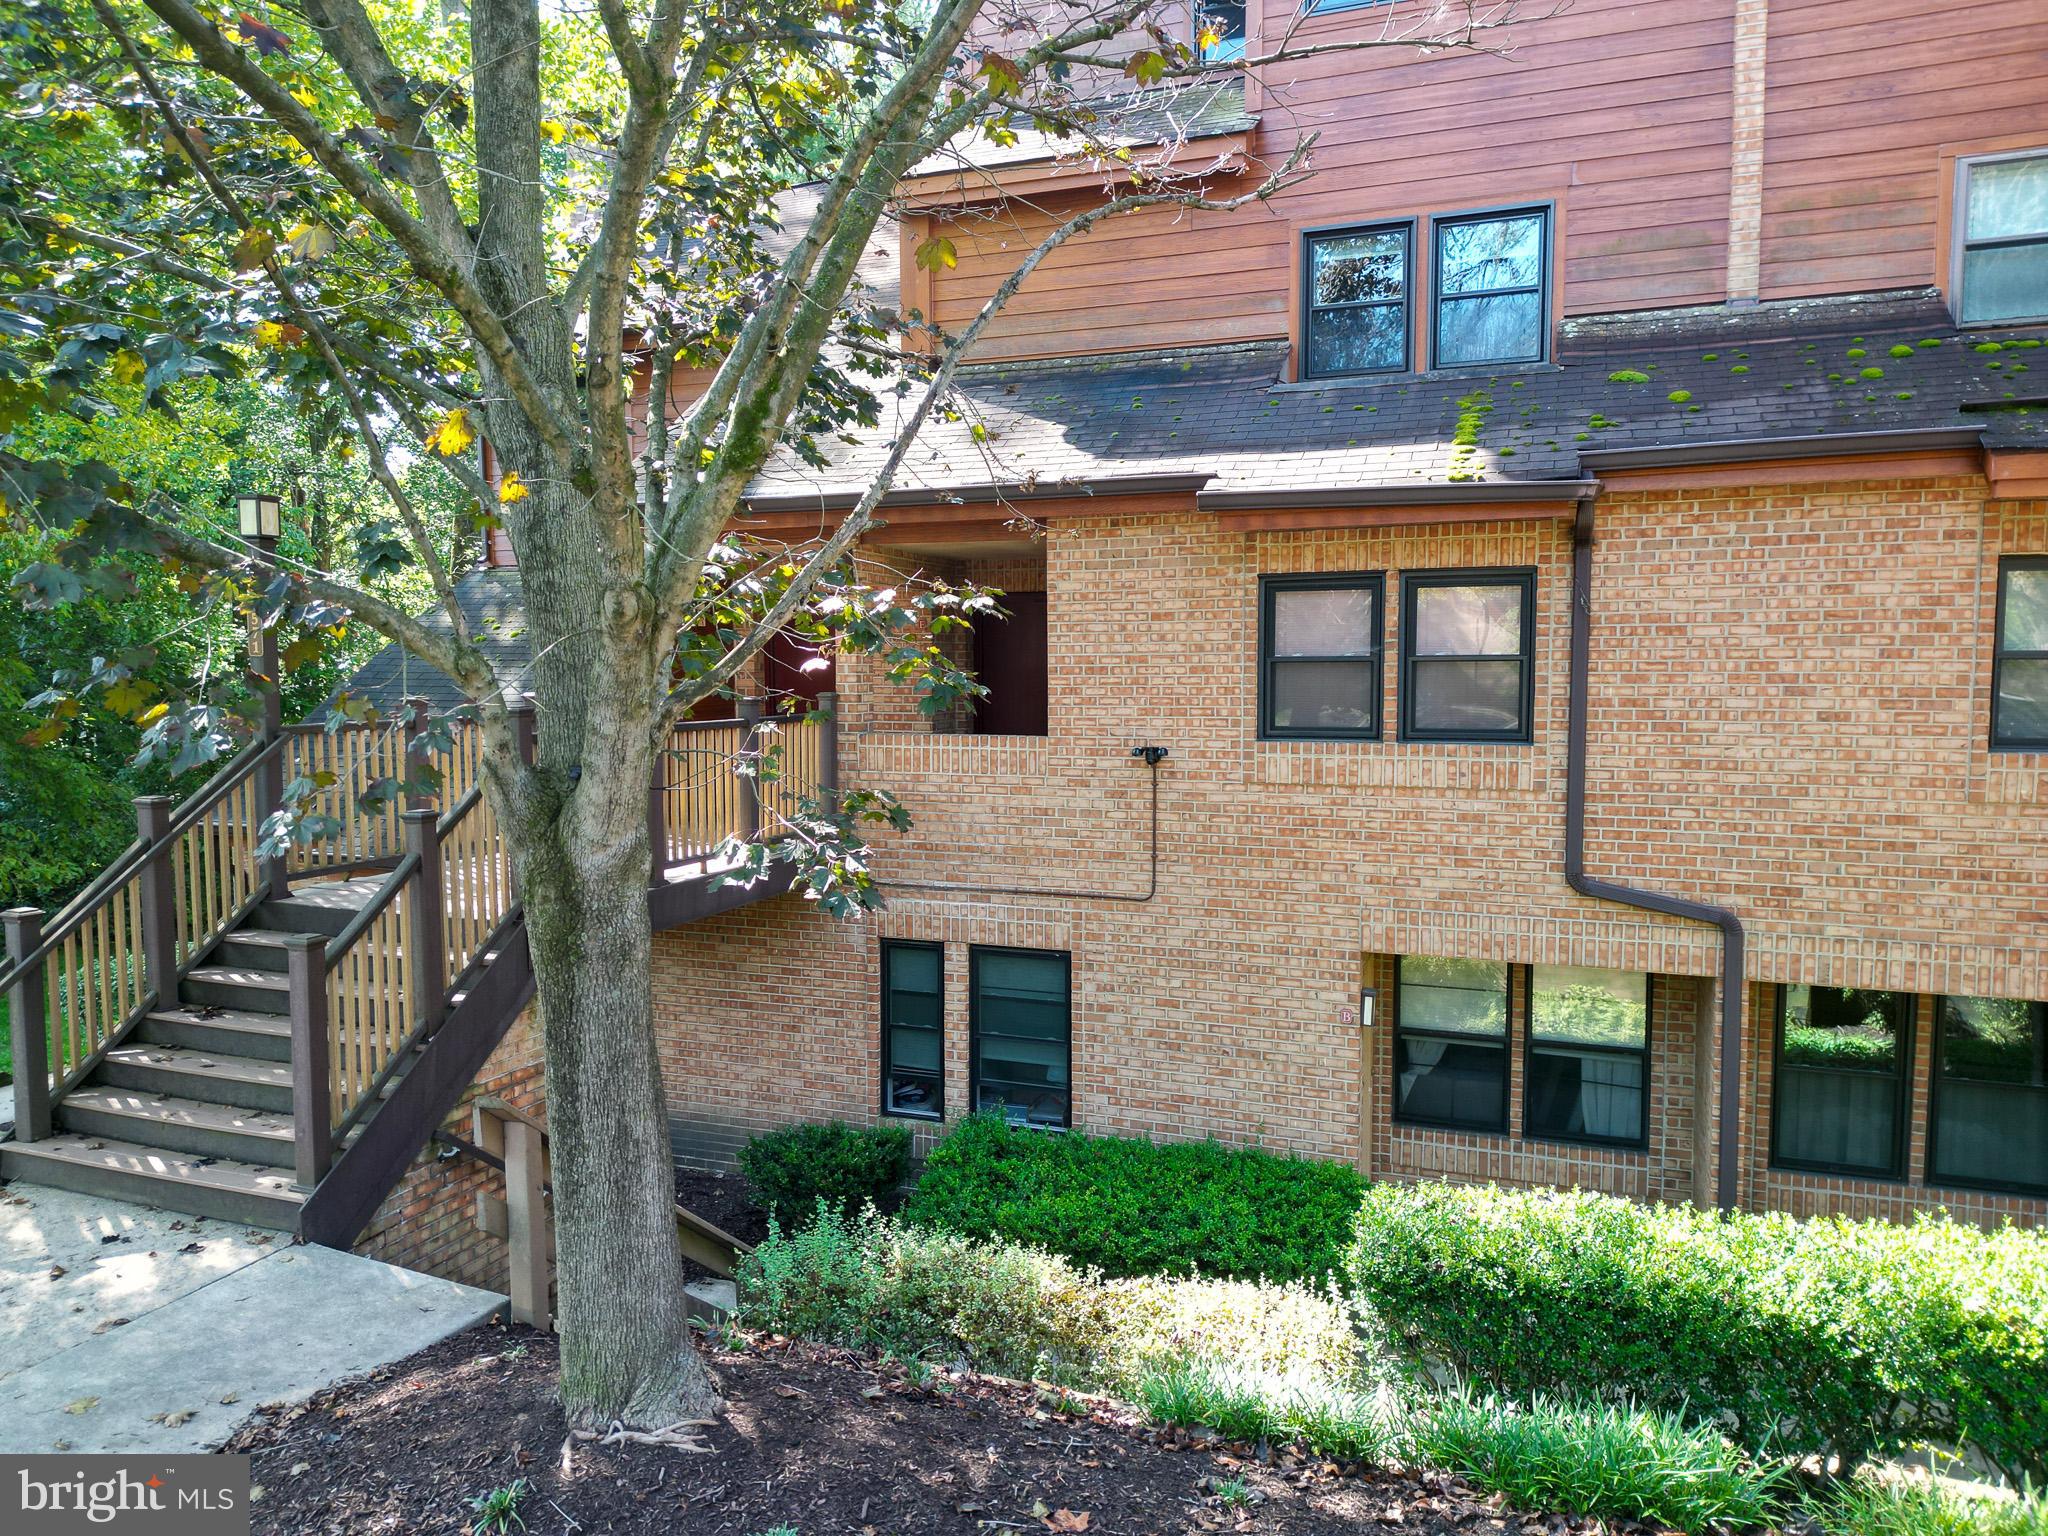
(1619, 114)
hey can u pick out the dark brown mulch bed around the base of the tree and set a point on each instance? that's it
(818, 1441)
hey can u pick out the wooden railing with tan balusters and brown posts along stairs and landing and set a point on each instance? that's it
(366, 1000)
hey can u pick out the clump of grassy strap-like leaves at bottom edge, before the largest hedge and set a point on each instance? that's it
(1596, 1459)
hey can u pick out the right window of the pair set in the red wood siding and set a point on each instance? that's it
(1490, 288)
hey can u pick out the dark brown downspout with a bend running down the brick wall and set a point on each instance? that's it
(1732, 927)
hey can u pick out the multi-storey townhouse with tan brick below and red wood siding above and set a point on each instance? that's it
(1582, 562)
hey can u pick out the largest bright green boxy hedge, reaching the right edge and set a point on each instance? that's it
(1797, 1336)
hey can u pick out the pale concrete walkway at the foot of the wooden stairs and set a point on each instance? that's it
(126, 1328)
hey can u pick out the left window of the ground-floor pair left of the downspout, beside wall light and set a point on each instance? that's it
(1451, 1043)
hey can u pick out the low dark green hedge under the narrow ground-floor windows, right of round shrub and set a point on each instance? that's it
(1136, 1207)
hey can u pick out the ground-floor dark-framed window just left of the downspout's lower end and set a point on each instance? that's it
(1588, 1056)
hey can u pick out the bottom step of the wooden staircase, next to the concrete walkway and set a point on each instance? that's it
(124, 1170)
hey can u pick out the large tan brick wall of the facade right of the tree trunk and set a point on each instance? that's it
(1789, 716)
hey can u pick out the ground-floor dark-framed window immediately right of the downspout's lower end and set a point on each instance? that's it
(1840, 1086)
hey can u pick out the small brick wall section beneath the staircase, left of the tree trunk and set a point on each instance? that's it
(429, 1222)
